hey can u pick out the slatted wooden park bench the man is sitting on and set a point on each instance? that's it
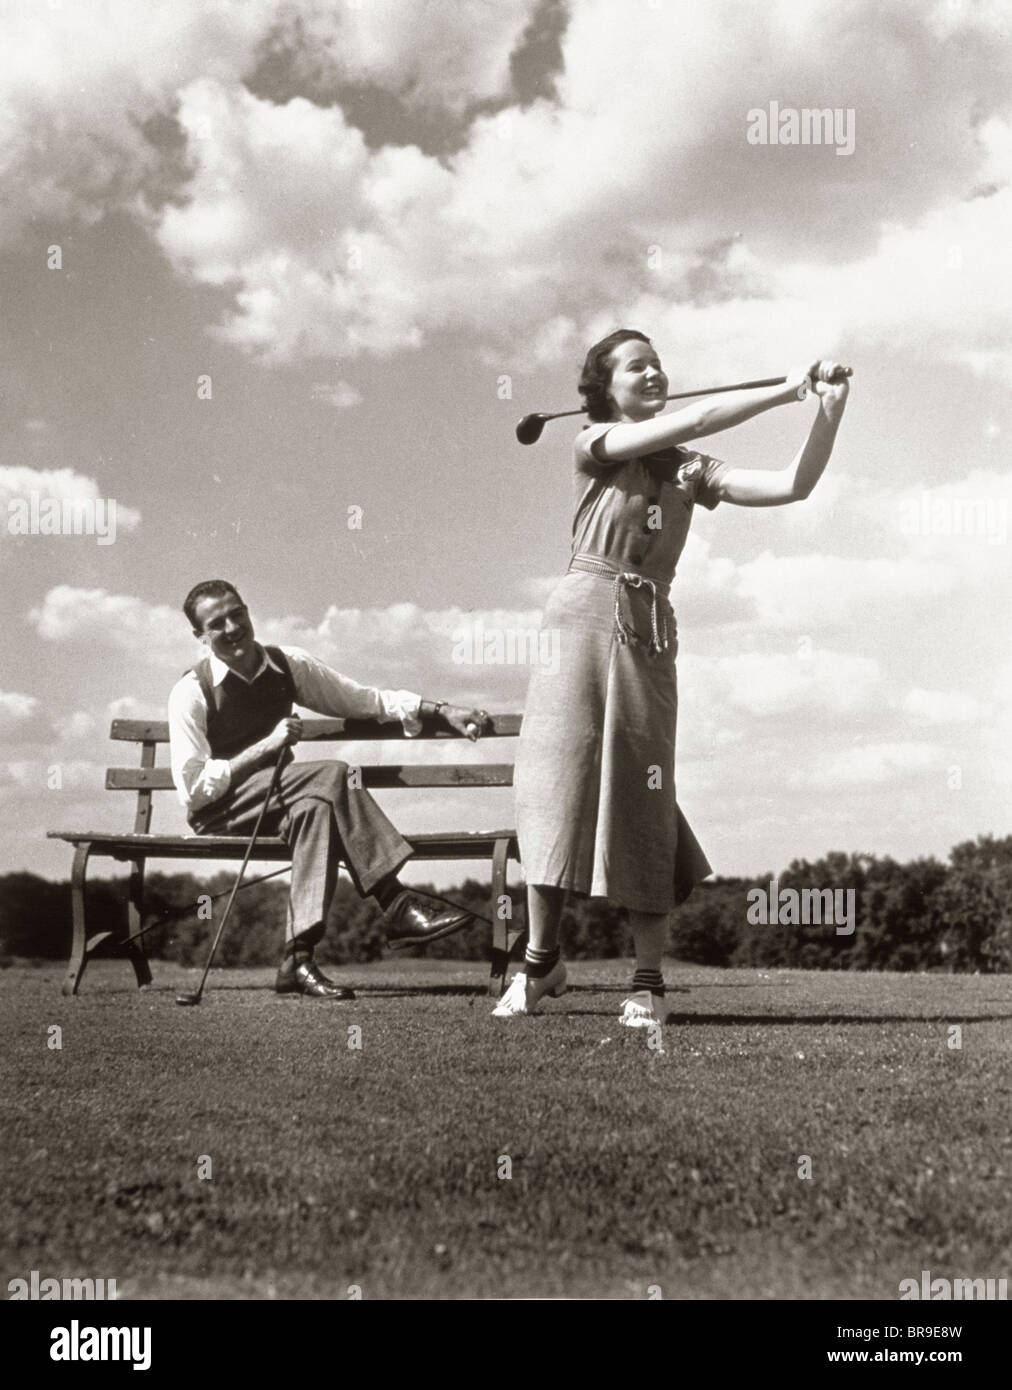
(141, 846)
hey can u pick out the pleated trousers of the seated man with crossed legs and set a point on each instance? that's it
(323, 822)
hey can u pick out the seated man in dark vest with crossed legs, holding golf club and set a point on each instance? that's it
(230, 718)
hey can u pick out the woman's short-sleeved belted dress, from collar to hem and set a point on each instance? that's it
(596, 796)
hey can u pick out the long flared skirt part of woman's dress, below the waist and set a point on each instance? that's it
(594, 780)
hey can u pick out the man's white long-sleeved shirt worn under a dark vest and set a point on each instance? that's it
(201, 779)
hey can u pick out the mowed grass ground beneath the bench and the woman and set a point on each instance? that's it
(380, 1166)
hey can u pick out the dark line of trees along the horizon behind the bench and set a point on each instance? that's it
(924, 915)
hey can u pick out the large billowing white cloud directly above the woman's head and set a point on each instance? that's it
(522, 195)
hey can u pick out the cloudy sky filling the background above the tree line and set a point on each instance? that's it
(281, 276)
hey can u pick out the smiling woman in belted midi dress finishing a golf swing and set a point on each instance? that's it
(596, 768)
